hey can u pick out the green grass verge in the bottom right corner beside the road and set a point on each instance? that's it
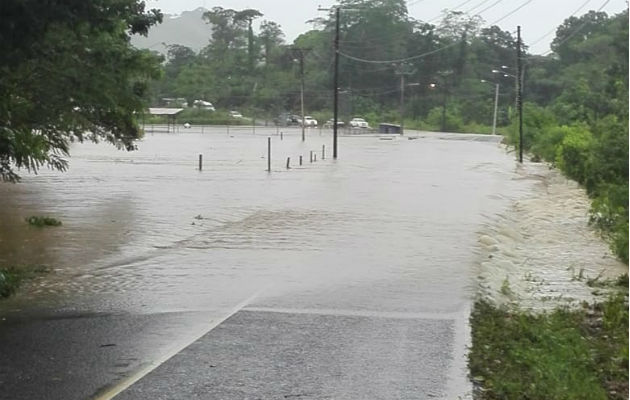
(565, 354)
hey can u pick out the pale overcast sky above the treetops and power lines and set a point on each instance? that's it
(536, 17)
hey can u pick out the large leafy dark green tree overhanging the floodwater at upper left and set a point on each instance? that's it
(69, 73)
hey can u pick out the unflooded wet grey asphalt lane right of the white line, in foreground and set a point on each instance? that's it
(275, 355)
